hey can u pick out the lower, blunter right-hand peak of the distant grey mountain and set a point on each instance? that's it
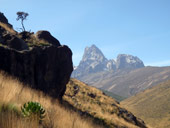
(125, 61)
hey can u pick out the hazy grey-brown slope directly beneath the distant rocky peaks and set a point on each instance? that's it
(128, 82)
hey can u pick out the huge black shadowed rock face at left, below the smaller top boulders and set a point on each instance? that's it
(47, 69)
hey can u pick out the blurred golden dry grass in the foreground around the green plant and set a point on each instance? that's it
(57, 116)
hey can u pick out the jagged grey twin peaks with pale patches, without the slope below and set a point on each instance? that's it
(94, 61)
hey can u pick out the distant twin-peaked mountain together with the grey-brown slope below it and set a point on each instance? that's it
(125, 77)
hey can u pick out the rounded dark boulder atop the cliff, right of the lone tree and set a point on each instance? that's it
(46, 36)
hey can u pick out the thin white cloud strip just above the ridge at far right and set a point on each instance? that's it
(159, 63)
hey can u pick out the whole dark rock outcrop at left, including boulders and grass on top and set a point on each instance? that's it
(37, 60)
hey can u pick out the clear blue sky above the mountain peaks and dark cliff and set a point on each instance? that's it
(137, 27)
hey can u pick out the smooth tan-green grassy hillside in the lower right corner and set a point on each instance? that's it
(152, 105)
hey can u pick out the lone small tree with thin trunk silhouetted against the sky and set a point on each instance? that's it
(22, 16)
